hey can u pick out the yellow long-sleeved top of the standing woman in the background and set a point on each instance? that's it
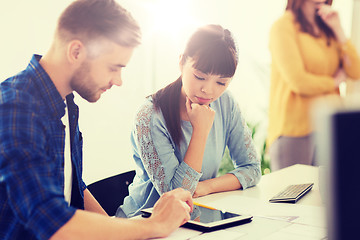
(302, 70)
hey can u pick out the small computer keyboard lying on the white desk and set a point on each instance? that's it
(292, 193)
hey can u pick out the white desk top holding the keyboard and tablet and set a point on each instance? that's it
(303, 220)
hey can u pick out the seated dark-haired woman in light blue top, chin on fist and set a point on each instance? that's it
(182, 131)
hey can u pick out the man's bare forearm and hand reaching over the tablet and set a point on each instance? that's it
(170, 212)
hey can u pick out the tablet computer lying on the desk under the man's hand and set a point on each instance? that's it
(207, 219)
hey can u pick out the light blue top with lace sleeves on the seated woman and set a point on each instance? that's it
(159, 162)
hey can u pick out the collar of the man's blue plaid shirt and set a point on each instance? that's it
(46, 87)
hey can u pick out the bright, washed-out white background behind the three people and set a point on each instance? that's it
(27, 28)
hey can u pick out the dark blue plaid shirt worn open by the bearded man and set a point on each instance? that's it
(32, 140)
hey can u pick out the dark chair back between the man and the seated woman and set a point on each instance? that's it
(110, 192)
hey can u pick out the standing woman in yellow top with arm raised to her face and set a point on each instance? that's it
(310, 58)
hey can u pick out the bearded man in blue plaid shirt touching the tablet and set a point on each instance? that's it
(42, 194)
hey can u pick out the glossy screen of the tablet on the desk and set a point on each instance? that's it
(206, 215)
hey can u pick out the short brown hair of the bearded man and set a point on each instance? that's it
(90, 20)
